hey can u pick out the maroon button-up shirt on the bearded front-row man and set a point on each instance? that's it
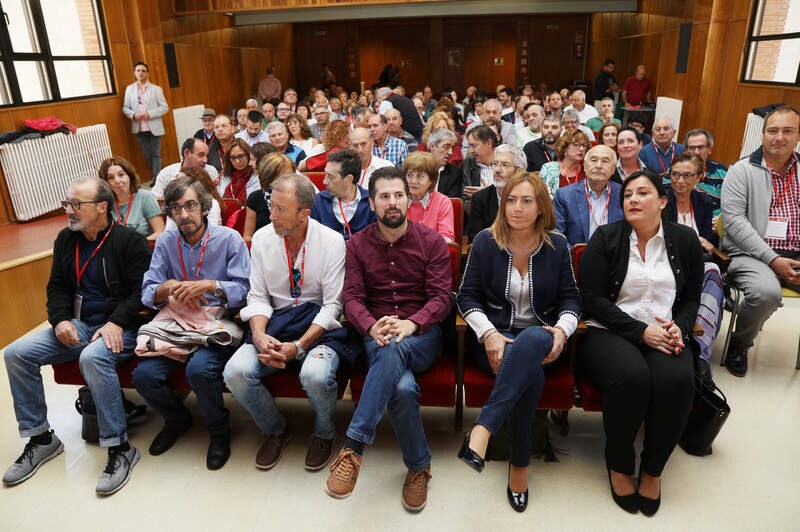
(410, 278)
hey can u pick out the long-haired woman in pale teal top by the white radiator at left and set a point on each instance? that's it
(134, 207)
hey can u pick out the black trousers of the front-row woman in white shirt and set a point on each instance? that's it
(639, 385)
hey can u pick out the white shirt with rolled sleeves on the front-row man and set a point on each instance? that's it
(323, 274)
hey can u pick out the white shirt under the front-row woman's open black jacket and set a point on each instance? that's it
(649, 289)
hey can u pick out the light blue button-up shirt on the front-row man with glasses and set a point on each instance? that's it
(226, 260)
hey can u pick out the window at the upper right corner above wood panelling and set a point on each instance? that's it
(772, 54)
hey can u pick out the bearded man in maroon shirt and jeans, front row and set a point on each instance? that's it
(396, 292)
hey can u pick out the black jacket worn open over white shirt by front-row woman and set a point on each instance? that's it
(604, 264)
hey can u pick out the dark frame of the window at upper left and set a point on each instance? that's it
(48, 60)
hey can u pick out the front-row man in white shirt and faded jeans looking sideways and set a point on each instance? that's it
(293, 315)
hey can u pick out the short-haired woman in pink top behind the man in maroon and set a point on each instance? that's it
(428, 207)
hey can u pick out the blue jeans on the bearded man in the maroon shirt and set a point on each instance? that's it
(390, 383)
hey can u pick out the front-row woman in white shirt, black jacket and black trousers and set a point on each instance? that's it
(640, 281)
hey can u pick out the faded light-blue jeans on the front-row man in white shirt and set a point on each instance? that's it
(243, 374)
